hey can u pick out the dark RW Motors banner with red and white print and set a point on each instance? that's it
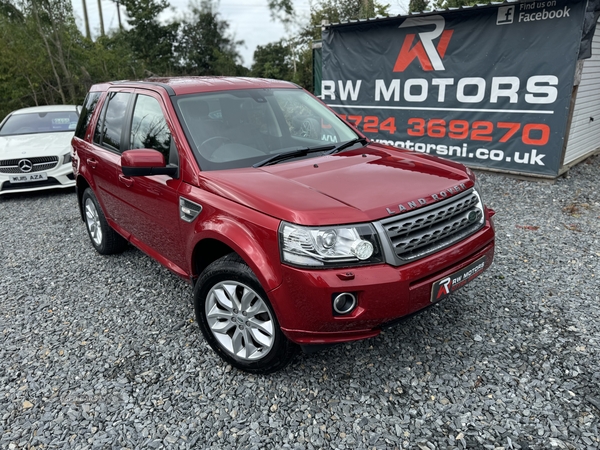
(489, 86)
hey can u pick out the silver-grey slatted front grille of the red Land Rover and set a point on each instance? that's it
(416, 234)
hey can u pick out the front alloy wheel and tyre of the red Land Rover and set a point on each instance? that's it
(236, 319)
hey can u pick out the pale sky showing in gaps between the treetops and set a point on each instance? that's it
(249, 20)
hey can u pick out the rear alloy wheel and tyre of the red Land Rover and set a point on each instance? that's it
(105, 240)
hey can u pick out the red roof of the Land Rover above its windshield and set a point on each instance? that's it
(192, 85)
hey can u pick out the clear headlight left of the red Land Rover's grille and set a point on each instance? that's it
(329, 246)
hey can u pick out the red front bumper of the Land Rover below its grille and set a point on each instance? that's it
(303, 302)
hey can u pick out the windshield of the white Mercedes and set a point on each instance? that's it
(43, 122)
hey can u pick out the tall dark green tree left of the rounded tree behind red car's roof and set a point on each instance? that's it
(152, 43)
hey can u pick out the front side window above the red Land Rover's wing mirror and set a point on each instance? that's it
(149, 128)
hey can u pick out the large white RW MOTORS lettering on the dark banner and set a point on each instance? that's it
(539, 89)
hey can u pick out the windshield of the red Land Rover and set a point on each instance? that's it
(233, 129)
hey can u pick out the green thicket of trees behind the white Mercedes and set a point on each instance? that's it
(44, 58)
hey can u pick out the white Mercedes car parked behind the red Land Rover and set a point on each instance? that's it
(35, 148)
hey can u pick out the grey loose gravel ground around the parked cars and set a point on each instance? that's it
(104, 352)
